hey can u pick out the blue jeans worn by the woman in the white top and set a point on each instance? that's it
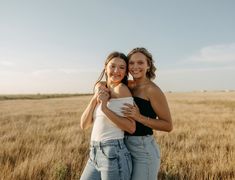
(109, 160)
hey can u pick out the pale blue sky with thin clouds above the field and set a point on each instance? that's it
(55, 46)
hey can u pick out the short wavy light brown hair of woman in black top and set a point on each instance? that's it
(151, 72)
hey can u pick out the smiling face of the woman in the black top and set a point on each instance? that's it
(138, 65)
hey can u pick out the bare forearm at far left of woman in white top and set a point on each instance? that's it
(87, 115)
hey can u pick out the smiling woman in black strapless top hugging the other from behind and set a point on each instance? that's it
(150, 112)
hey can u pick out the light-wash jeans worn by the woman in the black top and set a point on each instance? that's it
(145, 155)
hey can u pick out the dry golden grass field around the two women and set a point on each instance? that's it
(41, 138)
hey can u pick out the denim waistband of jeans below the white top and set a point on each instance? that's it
(113, 142)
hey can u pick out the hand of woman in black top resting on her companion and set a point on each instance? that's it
(131, 111)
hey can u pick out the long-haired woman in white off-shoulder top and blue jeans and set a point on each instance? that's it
(109, 158)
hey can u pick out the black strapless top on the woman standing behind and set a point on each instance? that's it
(146, 110)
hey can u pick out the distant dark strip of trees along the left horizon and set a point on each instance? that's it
(39, 96)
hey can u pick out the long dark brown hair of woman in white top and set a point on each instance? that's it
(109, 58)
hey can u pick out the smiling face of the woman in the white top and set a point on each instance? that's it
(116, 70)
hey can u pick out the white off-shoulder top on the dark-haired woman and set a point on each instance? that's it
(103, 128)
